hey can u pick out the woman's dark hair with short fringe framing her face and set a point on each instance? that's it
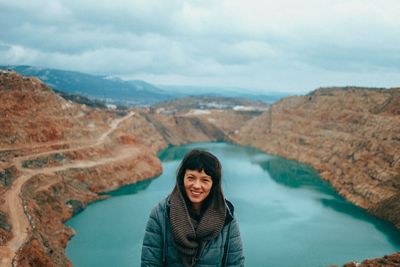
(200, 160)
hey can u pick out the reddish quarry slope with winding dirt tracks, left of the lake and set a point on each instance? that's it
(55, 157)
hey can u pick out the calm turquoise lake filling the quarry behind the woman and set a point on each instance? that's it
(287, 215)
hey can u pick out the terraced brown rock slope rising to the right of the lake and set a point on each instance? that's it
(351, 136)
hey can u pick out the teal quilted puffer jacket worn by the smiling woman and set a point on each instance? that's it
(158, 248)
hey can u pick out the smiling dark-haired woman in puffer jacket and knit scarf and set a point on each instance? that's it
(194, 225)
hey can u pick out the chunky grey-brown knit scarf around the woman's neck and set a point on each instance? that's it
(190, 236)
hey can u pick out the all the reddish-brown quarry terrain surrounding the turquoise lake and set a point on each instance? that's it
(56, 156)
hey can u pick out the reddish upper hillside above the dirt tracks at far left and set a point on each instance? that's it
(47, 117)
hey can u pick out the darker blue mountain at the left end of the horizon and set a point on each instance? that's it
(112, 90)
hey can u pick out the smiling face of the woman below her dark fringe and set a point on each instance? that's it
(197, 186)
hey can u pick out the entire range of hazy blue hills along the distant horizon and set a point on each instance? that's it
(112, 90)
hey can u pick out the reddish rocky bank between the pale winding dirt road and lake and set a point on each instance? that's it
(52, 199)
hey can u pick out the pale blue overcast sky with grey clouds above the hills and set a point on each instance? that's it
(286, 45)
